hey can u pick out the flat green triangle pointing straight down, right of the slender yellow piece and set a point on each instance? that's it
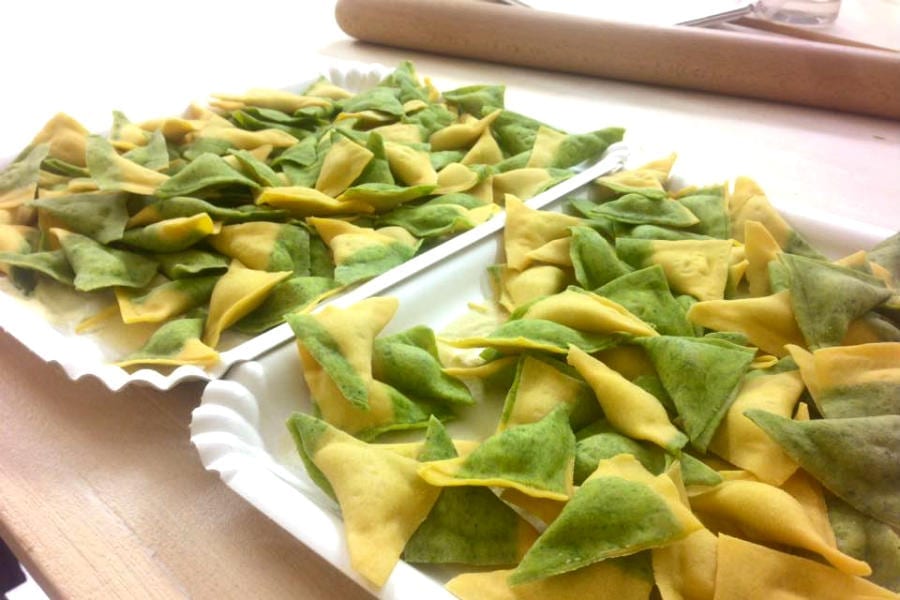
(702, 376)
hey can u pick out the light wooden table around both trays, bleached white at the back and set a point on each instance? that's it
(102, 494)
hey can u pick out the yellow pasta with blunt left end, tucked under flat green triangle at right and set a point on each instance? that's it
(767, 321)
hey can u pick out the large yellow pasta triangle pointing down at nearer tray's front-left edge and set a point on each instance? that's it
(383, 500)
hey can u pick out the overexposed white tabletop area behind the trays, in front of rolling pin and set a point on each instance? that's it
(90, 58)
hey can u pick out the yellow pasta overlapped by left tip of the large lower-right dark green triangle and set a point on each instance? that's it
(742, 443)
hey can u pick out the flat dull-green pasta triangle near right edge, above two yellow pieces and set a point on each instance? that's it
(827, 297)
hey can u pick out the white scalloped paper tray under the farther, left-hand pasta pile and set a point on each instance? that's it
(45, 322)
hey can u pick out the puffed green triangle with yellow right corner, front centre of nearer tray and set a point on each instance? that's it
(619, 510)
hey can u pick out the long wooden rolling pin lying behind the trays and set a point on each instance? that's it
(857, 80)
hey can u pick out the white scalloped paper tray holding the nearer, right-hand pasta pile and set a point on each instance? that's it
(239, 427)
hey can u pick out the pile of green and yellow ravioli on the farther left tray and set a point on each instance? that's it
(265, 203)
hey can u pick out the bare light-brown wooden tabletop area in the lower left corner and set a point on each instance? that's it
(103, 496)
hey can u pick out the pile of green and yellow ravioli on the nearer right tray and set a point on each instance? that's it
(686, 400)
